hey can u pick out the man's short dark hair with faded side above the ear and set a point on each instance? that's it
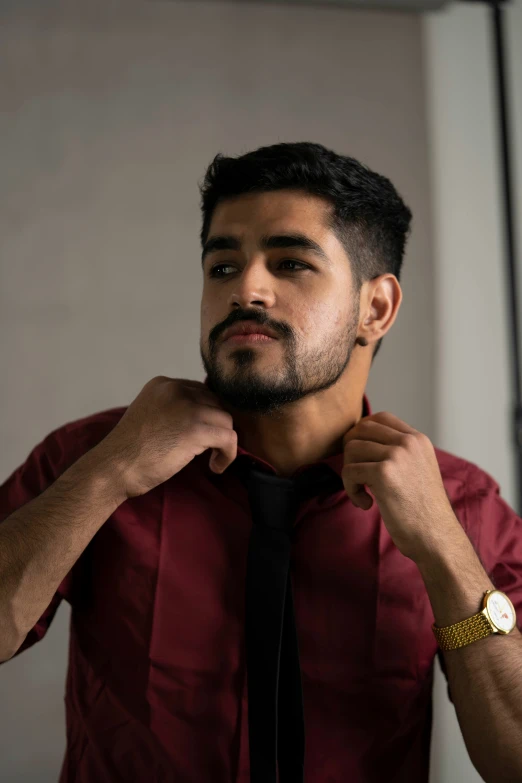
(369, 217)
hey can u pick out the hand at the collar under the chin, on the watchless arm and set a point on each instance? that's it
(164, 428)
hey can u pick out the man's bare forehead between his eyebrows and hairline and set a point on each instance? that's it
(270, 212)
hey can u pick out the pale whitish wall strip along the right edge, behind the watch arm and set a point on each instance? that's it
(473, 395)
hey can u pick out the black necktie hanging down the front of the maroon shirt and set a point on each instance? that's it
(275, 698)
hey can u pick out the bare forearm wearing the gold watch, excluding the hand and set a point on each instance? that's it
(485, 677)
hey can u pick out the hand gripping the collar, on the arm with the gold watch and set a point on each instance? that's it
(399, 466)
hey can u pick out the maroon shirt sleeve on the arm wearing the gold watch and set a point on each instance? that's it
(495, 530)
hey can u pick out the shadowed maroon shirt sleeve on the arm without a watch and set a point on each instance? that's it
(43, 466)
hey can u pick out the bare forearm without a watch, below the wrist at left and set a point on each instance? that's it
(40, 542)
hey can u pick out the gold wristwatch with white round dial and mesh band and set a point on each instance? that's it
(496, 616)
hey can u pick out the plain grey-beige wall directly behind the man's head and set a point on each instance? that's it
(110, 113)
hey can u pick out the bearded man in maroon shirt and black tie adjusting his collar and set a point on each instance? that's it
(124, 515)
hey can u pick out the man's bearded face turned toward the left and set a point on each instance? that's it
(305, 295)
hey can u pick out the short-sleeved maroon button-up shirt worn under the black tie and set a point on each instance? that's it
(156, 688)
